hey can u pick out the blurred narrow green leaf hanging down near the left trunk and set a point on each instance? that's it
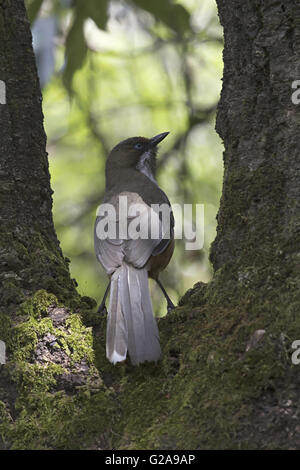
(76, 50)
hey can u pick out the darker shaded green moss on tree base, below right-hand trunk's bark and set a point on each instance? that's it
(203, 394)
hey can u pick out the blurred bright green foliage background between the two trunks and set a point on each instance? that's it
(138, 68)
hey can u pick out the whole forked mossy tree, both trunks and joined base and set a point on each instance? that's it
(226, 379)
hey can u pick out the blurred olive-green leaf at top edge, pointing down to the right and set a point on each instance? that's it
(173, 15)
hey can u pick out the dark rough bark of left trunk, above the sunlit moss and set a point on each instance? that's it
(30, 253)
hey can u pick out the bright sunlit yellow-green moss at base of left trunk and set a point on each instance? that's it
(51, 410)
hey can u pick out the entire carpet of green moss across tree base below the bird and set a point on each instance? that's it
(202, 394)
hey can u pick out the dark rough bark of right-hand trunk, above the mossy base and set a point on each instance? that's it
(258, 230)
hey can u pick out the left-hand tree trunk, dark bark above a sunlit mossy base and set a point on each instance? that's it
(47, 348)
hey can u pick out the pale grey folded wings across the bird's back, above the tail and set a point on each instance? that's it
(146, 233)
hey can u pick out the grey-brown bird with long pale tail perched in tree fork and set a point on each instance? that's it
(129, 260)
